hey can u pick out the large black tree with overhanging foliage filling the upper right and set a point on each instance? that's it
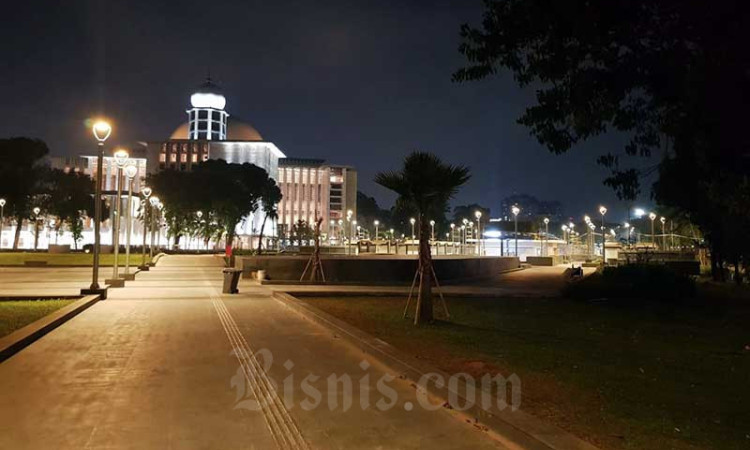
(672, 74)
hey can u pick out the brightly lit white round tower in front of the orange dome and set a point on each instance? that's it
(208, 120)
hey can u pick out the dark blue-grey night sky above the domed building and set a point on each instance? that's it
(358, 83)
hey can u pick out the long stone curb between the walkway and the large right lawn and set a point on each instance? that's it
(516, 430)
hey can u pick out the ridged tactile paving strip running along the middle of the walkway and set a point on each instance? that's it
(281, 425)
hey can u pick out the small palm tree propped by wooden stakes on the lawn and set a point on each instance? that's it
(425, 184)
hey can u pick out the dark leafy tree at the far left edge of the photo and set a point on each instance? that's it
(21, 174)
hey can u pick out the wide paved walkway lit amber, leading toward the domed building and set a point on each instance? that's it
(169, 362)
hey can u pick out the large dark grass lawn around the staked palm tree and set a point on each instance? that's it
(624, 377)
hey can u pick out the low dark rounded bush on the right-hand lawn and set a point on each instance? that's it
(633, 281)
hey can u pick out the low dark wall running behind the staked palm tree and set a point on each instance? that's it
(378, 270)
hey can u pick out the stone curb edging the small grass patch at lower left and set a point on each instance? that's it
(23, 337)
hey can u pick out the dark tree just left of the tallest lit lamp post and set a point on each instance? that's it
(70, 195)
